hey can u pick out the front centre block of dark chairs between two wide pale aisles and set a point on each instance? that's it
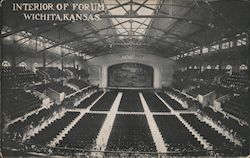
(131, 133)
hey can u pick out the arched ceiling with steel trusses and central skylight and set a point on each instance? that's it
(166, 27)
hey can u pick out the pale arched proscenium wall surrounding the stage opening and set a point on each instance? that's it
(98, 67)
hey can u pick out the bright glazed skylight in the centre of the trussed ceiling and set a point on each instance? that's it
(131, 27)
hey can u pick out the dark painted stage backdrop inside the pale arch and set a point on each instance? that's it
(130, 75)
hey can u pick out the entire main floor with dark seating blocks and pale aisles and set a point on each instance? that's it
(132, 121)
